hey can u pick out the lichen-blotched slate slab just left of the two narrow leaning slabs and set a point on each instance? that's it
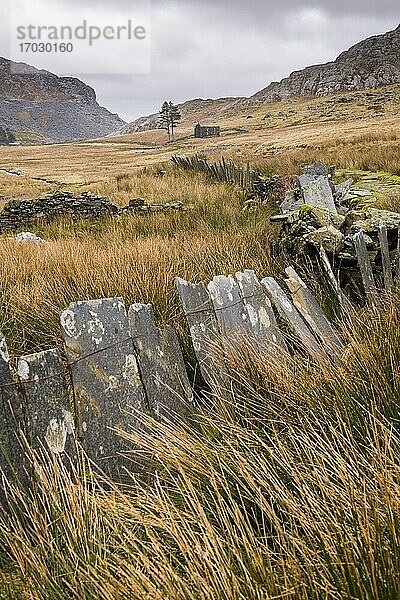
(264, 328)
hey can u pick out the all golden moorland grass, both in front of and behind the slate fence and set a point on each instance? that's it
(288, 488)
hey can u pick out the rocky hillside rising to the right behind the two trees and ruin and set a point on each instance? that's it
(372, 63)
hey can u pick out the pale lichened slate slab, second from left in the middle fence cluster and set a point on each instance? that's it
(232, 315)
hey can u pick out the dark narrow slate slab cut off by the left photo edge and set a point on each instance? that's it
(11, 422)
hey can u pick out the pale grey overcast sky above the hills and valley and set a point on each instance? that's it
(215, 48)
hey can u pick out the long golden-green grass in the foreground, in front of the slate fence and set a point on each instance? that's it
(288, 488)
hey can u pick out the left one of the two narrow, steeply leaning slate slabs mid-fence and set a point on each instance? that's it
(293, 318)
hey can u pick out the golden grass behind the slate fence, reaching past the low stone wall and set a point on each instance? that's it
(136, 257)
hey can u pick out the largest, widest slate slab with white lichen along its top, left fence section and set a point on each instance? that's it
(105, 375)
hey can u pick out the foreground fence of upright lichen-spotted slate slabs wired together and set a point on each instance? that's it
(121, 367)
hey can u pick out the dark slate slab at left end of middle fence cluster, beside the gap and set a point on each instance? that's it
(204, 330)
